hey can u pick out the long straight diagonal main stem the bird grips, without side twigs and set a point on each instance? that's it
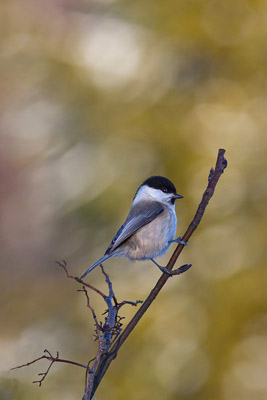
(213, 179)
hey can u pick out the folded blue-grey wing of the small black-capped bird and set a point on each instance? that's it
(139, 216)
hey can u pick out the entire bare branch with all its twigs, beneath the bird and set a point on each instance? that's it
(110, 335)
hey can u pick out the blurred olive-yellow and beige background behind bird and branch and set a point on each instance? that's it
(97, 95)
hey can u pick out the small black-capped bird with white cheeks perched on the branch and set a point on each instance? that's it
(150, 226)
